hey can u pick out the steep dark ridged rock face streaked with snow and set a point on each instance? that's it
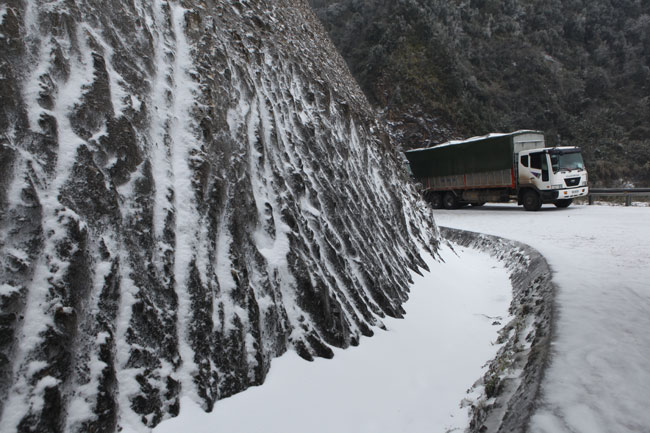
(187, 190)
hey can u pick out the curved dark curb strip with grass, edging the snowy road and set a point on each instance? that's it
(510, 389)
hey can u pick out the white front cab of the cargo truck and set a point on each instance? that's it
(556, 175)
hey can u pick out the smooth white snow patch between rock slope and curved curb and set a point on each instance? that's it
(411, 377)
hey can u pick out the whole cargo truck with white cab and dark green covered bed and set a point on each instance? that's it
(500, 168)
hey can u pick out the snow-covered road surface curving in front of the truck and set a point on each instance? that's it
(599, 377)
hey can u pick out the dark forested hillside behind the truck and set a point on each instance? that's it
(577, 69)
